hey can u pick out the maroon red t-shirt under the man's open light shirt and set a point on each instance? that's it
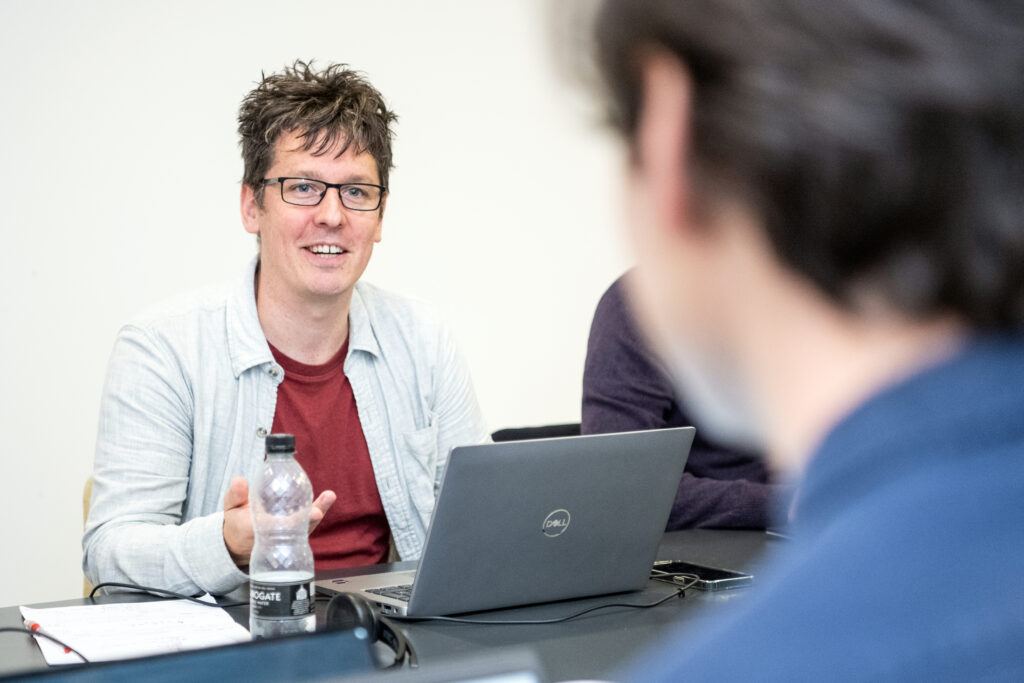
(317, 404)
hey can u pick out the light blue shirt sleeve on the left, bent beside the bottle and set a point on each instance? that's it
(135, 533)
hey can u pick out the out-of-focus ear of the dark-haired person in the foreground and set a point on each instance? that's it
(663, 138)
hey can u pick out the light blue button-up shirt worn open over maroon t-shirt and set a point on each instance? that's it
(191, 395)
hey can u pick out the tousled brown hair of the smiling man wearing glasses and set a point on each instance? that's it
(325, 107)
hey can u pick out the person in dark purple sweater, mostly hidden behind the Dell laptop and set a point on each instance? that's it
(625, 389)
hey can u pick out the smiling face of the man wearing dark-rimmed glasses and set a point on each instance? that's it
(313, 253)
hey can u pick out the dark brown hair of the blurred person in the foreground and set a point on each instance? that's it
(880, 143)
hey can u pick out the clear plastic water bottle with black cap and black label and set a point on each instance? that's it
(281, 568)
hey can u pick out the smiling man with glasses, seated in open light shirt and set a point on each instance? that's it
(371, 383)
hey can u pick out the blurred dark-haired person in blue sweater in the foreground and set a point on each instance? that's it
(829, 218)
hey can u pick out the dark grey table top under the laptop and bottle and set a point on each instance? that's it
(592, 647)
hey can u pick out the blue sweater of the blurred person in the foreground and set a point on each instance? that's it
(908, 562)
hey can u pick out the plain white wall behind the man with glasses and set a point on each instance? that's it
(119, 187)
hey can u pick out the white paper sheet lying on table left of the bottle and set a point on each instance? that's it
(126, 630)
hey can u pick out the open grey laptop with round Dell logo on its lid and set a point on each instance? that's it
(532, 522)
